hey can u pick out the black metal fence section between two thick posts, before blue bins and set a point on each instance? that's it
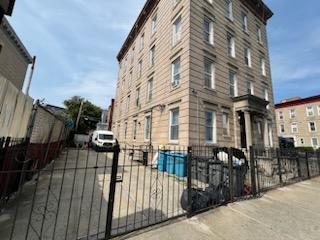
(148, 188)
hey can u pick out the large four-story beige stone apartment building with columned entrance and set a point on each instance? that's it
(196, 72)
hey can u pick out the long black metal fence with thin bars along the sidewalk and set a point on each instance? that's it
(84, 194)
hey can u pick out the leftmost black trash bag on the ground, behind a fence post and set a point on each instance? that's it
(200, 200)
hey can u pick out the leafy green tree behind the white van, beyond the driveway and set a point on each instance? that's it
(90, 114)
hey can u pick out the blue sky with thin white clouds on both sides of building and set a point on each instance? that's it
(76, 44)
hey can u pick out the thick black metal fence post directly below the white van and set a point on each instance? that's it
(113, 182)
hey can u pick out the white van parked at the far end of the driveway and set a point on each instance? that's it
(102, 140)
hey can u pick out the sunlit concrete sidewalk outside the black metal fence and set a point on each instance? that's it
(288, 213)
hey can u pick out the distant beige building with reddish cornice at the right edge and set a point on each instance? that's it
(299, 119)
